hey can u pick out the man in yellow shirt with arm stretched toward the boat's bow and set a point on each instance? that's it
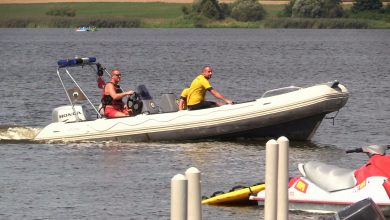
(197, 91)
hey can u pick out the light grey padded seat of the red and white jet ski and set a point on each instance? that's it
(329, 177)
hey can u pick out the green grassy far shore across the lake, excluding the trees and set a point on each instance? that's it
(152, 15)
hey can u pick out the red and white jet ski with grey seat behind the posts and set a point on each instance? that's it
(327, 188)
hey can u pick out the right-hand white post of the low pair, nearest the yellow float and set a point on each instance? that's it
(194, 194)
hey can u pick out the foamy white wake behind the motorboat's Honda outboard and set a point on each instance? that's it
(17, 133)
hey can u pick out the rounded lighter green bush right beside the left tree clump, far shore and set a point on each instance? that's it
(247, 10)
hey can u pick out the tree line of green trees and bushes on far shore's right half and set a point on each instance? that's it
(252, 10)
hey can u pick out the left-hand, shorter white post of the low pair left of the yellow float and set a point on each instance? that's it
(179, 197)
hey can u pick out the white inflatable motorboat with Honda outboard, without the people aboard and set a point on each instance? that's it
(293, 112)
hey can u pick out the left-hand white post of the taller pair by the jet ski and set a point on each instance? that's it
(271, 175)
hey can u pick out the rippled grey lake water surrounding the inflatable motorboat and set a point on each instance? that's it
(132, 180)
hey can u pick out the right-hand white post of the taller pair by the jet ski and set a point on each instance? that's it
(283, 178)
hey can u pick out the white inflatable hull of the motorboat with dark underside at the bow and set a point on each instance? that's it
(295, 115)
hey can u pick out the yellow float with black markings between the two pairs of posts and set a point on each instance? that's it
(235, 197)
